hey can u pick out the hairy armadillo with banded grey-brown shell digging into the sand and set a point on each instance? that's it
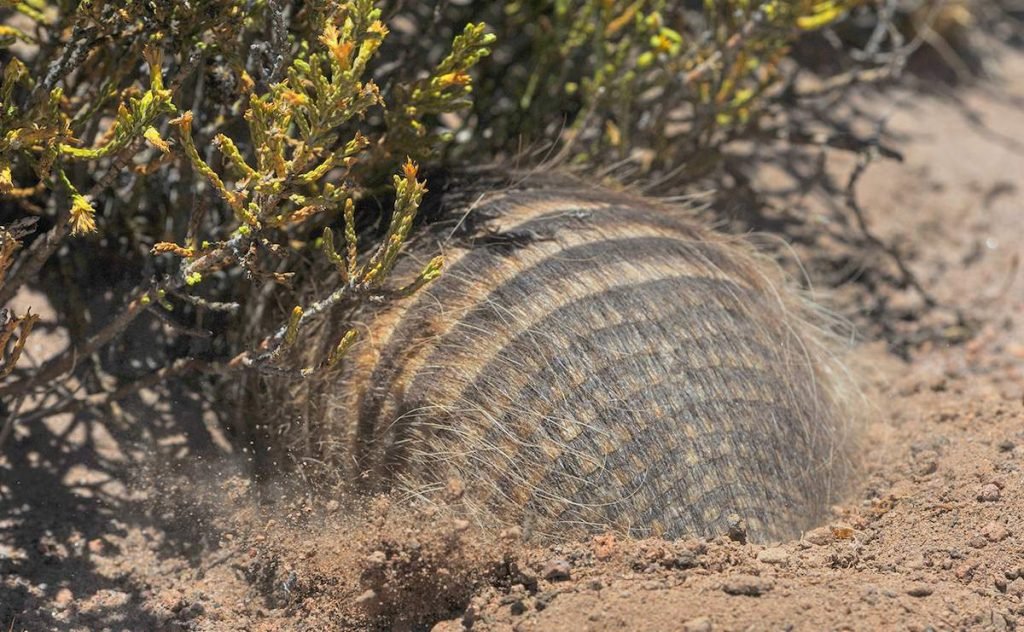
(590, 361)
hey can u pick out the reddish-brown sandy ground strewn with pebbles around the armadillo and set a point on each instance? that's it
(104, 528)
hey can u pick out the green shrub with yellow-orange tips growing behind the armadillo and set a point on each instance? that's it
(199, 162)
